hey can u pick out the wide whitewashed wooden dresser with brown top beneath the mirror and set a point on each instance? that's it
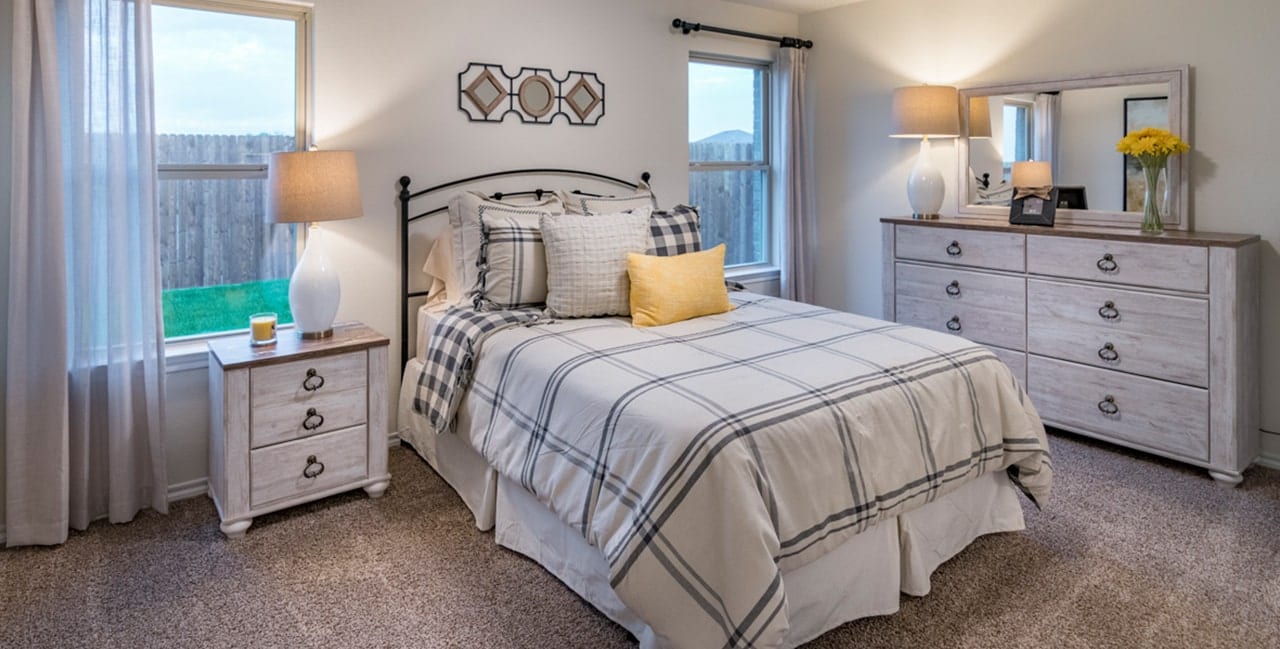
(1148, 342)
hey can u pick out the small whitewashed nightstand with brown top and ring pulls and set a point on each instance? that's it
(295, 422)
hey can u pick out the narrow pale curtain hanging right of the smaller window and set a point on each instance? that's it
(794, 179)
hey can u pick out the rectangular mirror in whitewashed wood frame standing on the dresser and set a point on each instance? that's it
(1075, 125)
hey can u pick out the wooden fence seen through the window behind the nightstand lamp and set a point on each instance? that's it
(216, 231)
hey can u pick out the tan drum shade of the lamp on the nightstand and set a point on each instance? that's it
(313, 186)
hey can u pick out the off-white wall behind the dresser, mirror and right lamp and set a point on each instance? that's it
(867, 49)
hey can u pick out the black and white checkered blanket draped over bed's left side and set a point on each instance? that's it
(451, 359)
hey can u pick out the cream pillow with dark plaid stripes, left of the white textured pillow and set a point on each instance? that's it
(513, 264)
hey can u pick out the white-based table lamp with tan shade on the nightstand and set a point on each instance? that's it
(314, 186)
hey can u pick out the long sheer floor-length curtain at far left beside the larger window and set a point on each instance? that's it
(86, 345)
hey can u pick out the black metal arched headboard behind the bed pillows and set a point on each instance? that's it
(406, 220)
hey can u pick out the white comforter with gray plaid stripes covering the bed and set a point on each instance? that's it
(706, 458)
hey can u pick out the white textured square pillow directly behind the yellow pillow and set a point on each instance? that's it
(587, 262)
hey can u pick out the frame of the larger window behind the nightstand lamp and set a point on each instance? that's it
(303, 118)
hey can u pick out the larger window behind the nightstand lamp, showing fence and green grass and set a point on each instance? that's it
(230, 90)
